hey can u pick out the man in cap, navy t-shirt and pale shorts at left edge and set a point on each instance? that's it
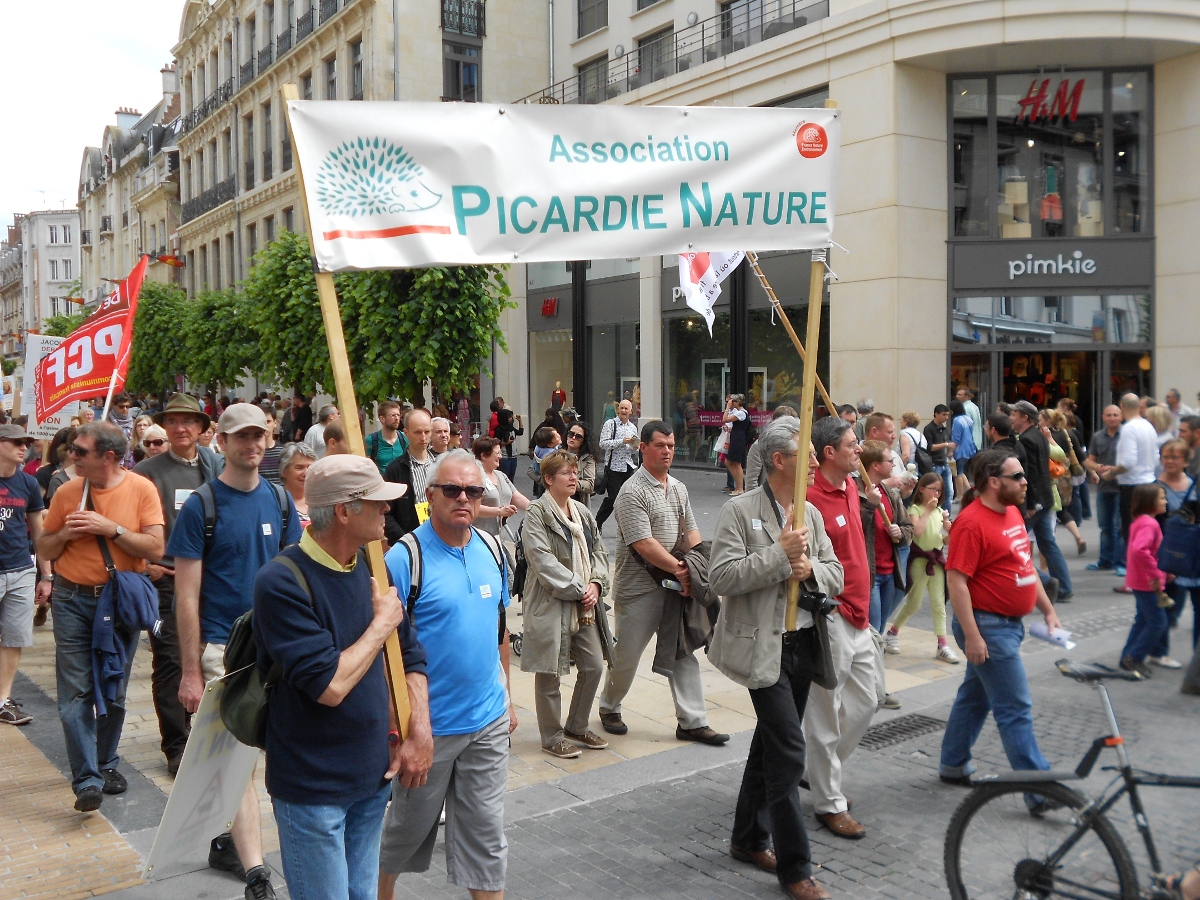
(21, 515)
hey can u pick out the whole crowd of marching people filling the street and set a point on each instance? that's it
(261, 506)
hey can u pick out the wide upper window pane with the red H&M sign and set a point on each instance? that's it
(1051, 155)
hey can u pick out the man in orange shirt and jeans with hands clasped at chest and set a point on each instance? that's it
(123, 509)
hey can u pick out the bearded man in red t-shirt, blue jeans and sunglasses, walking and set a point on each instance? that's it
(993, 586)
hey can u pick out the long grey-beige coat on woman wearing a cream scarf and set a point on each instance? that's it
(550, 607)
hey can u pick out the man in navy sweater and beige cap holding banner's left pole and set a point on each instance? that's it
(333, 742)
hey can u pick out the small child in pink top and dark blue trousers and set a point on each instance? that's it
(1144, 578)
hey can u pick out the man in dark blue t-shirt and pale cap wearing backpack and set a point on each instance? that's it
(225, 533)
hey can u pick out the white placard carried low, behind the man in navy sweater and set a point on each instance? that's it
(208, 790)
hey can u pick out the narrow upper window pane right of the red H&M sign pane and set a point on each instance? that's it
(1131, 147)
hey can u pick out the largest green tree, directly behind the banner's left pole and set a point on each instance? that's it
(401, 328)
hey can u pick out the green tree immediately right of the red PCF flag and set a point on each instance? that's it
(160, 349)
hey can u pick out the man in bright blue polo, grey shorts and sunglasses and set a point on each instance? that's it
(455, 615)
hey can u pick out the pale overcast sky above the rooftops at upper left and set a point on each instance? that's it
(67, 67)
